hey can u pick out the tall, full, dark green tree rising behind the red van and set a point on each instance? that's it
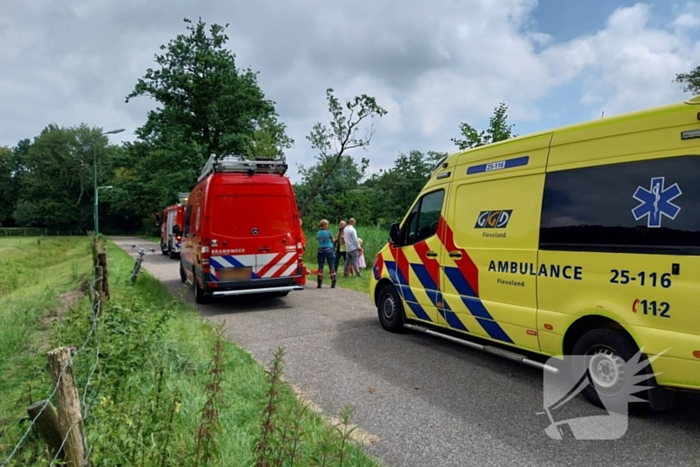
(208, 106)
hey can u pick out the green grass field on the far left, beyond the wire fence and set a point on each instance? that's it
(35, 272)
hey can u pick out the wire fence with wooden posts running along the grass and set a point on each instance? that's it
(51, 424)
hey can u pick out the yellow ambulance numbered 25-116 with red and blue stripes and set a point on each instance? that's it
(583, 240)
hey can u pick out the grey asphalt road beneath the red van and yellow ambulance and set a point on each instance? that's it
(430, 402)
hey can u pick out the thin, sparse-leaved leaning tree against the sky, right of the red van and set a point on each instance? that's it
(335, 141)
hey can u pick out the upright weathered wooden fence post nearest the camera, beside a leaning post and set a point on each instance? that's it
(68, 402)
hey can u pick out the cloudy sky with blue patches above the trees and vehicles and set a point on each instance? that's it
(431, 64)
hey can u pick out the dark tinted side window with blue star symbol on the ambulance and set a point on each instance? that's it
(645, 206)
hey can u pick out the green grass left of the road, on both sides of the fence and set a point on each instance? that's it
(156, 355)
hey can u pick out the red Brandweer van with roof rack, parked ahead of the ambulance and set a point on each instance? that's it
(241, 232)
